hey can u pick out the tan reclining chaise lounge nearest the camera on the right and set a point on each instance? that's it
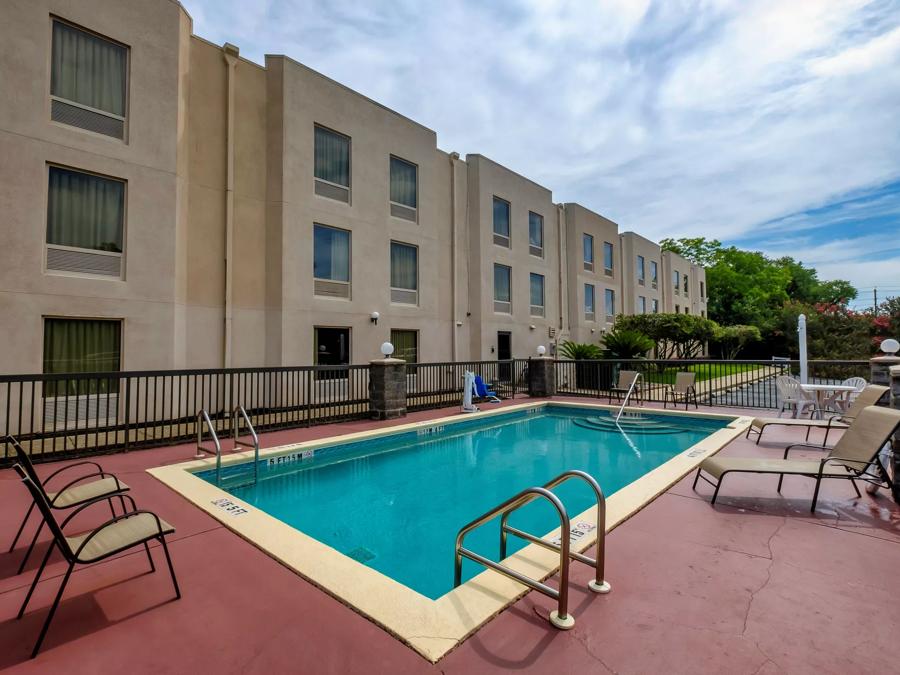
(853, 457)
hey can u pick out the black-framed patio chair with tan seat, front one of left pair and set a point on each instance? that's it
(122, 532)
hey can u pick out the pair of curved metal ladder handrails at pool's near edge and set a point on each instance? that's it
(560, 617)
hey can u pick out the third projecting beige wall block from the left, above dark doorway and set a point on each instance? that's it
(486, 180)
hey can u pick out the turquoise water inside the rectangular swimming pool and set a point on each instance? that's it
(396, 503)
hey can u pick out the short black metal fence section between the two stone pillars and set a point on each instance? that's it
(437, 385)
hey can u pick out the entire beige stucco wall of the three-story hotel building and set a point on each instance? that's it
(220, 207)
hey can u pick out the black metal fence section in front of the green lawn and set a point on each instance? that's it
(738, 384)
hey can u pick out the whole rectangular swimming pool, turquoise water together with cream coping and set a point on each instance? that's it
(498, 450)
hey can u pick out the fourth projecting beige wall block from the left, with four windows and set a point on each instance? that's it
(581, 221)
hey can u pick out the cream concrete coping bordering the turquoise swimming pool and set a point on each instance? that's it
(430, 627)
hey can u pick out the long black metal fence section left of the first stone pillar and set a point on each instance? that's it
(73, 414)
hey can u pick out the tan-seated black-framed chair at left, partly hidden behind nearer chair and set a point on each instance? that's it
(81, 490)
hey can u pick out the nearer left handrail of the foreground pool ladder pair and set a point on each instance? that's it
(559, 617)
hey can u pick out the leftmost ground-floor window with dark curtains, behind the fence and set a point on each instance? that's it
(81, 346)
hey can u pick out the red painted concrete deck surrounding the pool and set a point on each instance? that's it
(755, 585)
